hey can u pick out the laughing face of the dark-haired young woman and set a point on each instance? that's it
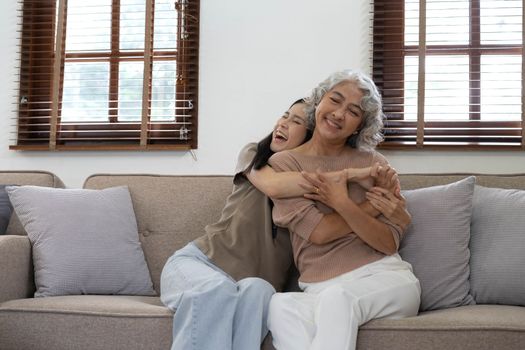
(290, 130)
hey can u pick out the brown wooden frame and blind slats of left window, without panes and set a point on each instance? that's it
(42, 78)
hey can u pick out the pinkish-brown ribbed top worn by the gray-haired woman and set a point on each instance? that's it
(300, 215)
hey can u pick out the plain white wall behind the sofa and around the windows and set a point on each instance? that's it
(256, 57)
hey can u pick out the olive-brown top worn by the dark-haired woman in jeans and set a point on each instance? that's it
(241, 242)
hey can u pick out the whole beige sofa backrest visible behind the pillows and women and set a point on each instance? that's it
(173, 210)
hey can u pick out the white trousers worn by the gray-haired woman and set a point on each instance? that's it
(328, 314)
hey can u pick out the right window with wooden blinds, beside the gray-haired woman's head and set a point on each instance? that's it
(450, 72)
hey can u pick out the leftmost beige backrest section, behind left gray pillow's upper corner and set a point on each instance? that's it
(29, 177)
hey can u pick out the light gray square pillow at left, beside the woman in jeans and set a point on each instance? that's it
(84, 241)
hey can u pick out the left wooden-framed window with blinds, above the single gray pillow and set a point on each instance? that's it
(108, 75)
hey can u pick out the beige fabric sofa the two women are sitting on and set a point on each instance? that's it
(171, 211)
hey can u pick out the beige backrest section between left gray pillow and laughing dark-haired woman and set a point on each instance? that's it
(170, 210)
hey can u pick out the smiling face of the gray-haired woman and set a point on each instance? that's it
(339, 114)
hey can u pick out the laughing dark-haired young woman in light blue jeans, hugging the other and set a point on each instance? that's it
(221, 283)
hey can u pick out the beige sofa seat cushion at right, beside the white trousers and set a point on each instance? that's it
(473, 327)
